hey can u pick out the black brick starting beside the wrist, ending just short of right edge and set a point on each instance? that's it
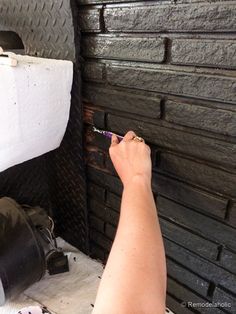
(189, 196)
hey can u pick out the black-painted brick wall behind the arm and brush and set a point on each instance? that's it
(167, 70)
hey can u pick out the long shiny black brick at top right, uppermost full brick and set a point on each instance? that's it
(212, 17)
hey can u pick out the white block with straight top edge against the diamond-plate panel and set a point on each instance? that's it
(35, 103)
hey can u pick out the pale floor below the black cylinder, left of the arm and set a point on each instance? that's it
(69, 293)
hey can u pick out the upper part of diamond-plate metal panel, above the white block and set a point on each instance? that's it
(45, 27)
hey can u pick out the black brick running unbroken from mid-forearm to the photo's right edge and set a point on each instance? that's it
(197, 222)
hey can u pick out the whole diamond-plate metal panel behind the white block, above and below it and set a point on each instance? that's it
(56, 180)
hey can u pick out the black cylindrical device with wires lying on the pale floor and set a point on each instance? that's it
(26, 244)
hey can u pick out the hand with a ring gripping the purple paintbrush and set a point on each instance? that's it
(131, 158)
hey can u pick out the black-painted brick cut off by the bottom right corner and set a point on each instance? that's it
(228, 301)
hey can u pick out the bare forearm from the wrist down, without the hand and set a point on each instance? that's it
(137, 255)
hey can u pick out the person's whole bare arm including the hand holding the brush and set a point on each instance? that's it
(134, 280)
